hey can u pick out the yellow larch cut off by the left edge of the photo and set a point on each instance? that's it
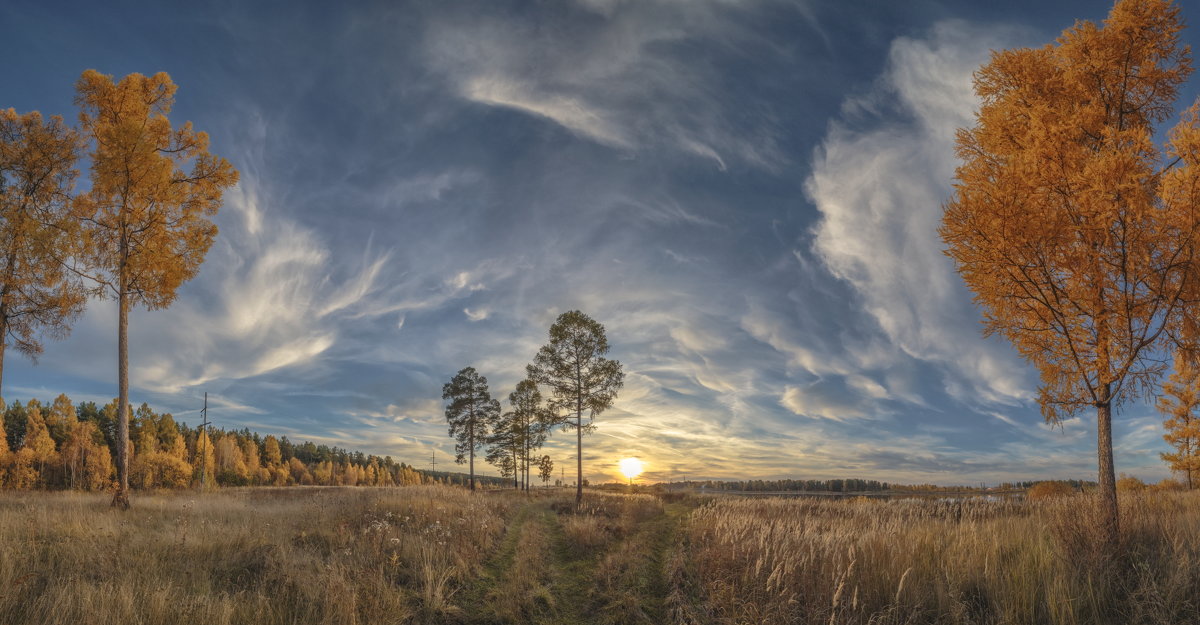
(39, 231)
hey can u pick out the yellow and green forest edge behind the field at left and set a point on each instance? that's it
(67, 446)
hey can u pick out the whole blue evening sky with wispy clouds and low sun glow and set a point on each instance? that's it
(745, 194)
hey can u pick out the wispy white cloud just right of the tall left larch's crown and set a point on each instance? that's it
(271, 296)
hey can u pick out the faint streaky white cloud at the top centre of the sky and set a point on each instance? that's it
(619, 83)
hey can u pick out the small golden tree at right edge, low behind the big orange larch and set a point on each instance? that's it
(1180, 401)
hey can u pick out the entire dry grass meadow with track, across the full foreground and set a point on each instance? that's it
(443, 555)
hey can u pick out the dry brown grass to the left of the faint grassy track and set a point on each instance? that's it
(328, 556)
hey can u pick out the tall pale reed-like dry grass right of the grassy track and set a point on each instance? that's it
(908, 562)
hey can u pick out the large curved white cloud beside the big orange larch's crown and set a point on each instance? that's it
(880, 193)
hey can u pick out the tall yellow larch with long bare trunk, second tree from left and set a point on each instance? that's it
(154, 190)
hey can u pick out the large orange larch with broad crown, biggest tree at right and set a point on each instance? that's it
(1075, 231)
